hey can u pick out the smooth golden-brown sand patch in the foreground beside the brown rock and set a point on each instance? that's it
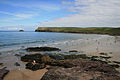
(25, 74)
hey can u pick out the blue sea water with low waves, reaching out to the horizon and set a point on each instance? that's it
(14, 41)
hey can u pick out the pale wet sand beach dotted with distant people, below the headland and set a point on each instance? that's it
(92, 47)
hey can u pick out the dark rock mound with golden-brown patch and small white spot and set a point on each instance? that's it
(36, 61)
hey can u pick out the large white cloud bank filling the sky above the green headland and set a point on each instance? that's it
(90, 13)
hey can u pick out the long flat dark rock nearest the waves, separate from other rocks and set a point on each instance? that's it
(42, 49)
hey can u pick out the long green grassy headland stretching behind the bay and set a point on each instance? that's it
(90, 30)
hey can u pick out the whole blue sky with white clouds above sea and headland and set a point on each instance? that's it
(30, 14)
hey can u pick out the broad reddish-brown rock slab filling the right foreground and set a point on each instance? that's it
(82, 70)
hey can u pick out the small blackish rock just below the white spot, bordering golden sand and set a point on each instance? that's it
(35, 67)
